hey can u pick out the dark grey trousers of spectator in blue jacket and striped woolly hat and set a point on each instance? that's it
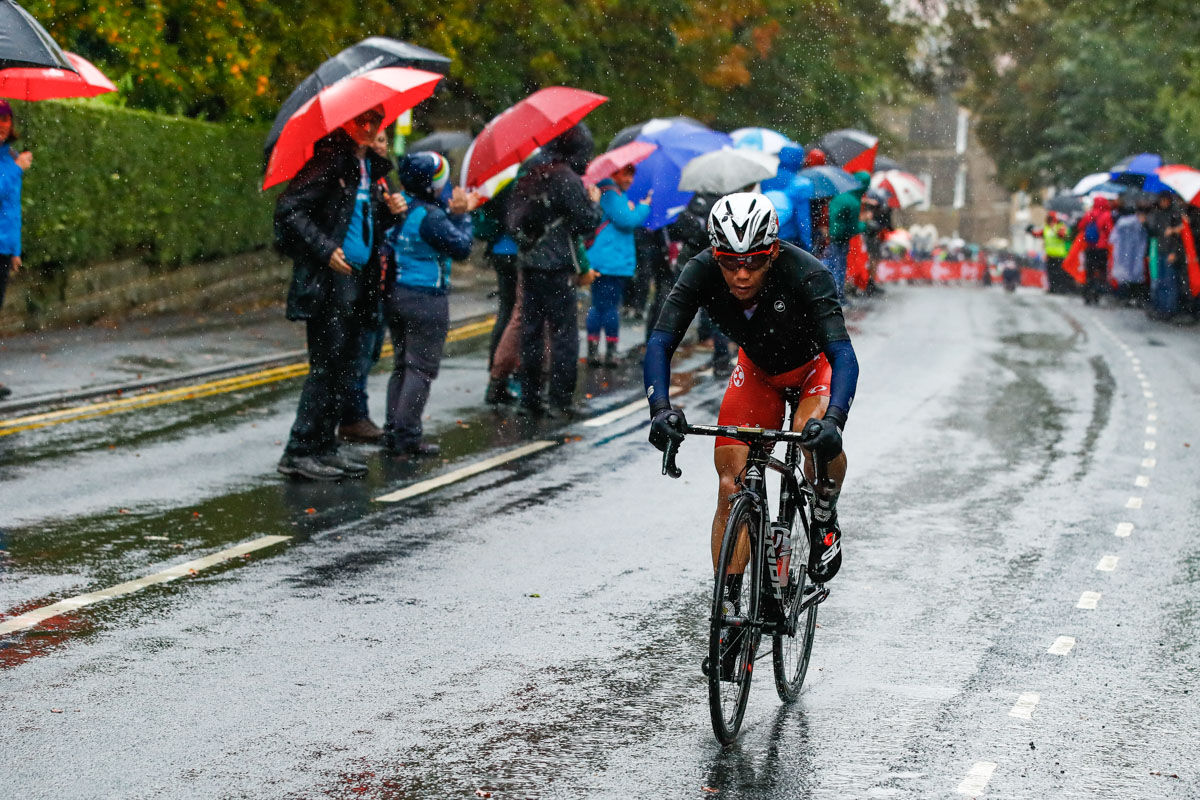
(419, 323)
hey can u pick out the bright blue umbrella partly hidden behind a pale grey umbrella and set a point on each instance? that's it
(679, 143)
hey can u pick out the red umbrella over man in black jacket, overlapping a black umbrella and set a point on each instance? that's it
(398, 89)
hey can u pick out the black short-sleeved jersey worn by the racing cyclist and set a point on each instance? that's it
(797, 314)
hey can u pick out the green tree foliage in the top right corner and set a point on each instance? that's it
(1065, 89)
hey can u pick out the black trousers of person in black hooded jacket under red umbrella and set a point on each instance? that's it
(549, 306)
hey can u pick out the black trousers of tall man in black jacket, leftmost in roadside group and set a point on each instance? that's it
(334, 335)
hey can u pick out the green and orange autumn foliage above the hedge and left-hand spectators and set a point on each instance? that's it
(800, 65)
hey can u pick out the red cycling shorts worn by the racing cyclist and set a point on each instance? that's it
(755, 400)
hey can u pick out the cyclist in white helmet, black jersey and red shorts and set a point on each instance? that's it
(781, 305)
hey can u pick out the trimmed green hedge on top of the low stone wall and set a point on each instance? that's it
(112, 183)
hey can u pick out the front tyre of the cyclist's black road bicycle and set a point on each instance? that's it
(727, 724)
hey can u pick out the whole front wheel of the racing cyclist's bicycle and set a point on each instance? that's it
(734, 634)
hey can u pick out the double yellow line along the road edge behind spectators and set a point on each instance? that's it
(220, 387)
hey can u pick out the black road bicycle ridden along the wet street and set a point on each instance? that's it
(777, 598)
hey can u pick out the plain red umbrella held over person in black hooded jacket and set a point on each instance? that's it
(523, 129)
